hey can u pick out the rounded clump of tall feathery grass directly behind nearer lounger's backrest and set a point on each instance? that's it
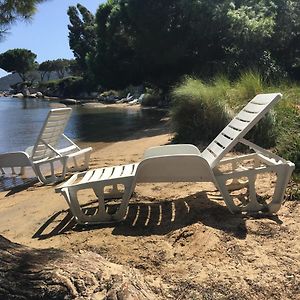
(200, 111)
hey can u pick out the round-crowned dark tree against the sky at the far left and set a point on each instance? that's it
(18, 60)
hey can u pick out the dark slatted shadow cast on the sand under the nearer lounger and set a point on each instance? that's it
(155, 218)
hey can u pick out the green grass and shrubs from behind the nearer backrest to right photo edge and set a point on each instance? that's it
(198, 114)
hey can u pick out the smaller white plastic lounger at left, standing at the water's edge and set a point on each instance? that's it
(45, 152)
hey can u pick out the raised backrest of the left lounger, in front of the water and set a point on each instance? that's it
(50, 133)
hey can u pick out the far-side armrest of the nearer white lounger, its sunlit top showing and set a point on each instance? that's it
(171, 150)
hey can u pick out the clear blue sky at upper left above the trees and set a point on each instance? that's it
(46, 34)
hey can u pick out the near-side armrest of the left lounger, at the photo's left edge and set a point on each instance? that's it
(14, 159)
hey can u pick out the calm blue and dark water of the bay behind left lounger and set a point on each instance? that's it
(21, 120)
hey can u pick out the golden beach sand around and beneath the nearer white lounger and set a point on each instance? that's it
(181, 236)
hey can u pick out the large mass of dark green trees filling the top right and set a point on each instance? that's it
(157, 42)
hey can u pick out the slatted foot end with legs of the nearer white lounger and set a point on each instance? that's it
(97, 180)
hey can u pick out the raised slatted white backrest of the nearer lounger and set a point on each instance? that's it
(239, 126)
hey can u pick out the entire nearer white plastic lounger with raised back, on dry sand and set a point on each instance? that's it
(185, 163)
